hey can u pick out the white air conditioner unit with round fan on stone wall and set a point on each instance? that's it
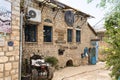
(34, 14)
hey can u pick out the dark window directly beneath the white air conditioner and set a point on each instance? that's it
(30, 33)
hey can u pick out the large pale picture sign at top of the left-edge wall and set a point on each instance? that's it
(5, 16)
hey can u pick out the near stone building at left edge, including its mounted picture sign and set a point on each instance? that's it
(9, 39)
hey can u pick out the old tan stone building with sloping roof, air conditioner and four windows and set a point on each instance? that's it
(59, 28)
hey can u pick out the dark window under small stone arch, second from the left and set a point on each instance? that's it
(47, 34)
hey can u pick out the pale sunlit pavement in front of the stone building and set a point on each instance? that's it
(86, 72)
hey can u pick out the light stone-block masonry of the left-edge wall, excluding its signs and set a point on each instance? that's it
(9, 55)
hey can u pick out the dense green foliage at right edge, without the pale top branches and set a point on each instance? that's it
(112, 24)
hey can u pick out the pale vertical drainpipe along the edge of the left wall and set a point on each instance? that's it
(20, 55)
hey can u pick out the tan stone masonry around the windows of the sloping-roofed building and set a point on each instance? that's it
(73, 50)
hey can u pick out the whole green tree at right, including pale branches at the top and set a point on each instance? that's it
(112, 25)
